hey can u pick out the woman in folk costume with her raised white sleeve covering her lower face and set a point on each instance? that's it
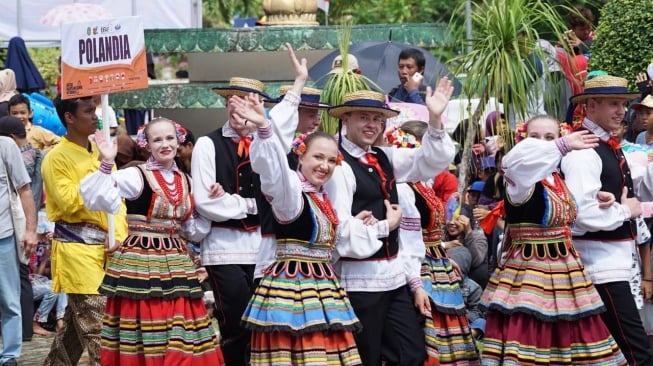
(542, 306)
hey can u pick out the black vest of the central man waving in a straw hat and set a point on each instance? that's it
(369, 196)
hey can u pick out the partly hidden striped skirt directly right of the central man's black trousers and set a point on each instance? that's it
(448, 339)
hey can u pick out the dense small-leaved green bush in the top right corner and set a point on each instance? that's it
(622, 46)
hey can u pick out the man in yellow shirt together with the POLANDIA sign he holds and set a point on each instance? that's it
(98, 57)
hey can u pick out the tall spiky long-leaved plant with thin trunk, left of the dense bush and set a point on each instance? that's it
(500, 64)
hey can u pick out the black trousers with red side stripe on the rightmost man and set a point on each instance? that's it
(624, 323)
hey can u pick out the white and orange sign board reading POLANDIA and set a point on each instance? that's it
(102, 56)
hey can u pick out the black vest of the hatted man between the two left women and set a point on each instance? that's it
(236, 176)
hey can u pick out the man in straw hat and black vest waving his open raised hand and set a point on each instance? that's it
(371, 270)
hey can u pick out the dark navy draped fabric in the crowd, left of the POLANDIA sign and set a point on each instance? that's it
(28, 77)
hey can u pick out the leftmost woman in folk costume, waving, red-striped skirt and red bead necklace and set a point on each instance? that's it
(155, 314)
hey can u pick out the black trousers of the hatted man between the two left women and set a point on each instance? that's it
(232, 286)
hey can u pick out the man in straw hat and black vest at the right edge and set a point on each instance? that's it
(605, 237)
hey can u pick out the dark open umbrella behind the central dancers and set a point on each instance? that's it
(378, 60)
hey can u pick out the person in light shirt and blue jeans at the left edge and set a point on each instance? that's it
(13, 169)
